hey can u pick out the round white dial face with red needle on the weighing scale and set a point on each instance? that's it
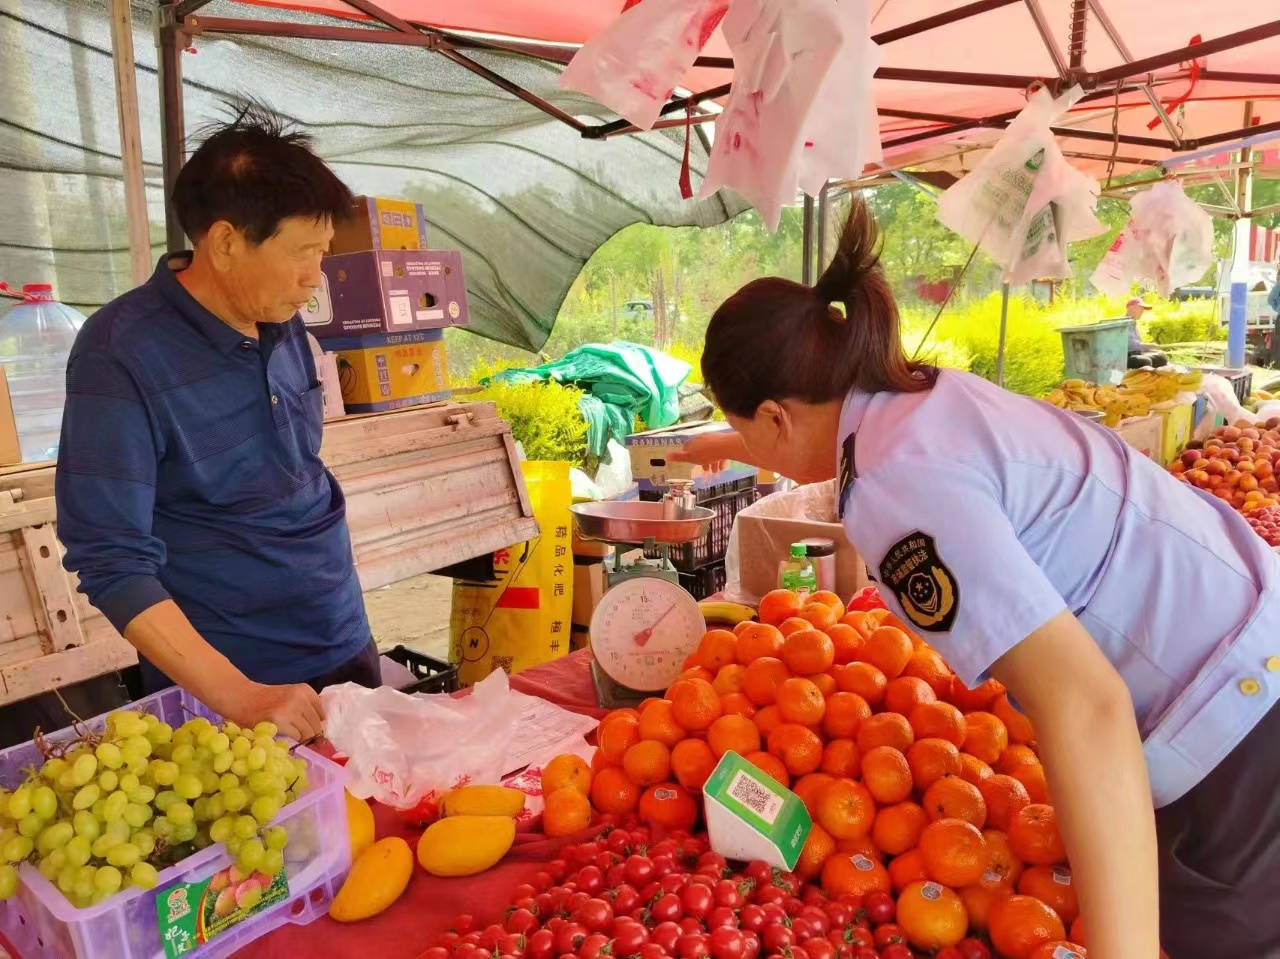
(643, 631)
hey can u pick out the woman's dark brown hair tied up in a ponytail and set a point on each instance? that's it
(778, 340)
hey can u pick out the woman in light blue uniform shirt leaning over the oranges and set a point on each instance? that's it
(1135, 619)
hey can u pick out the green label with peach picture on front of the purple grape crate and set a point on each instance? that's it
(193, 914)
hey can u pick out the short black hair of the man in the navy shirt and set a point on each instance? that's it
(254, 171)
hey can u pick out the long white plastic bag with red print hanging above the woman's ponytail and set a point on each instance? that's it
(784, 52)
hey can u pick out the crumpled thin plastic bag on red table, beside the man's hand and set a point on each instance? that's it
(403, 748)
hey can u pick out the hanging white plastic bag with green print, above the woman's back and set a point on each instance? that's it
(1025, 203)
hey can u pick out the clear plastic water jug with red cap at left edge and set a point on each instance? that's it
(36, 339)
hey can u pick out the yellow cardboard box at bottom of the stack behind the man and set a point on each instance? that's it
(391, 372)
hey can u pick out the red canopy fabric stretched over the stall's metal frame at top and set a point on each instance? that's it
(1003, 42)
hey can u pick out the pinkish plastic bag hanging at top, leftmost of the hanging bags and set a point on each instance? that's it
(636, 63)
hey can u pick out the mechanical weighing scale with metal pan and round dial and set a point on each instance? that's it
(646, 624)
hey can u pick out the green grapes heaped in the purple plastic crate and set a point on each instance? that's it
(113, 812)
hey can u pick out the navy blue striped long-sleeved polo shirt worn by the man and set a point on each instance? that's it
(190, 469)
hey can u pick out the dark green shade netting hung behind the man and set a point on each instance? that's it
(520, 194)
